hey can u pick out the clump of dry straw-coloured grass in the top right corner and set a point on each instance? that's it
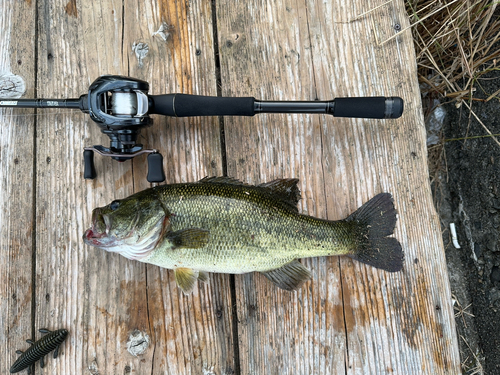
(456, 42)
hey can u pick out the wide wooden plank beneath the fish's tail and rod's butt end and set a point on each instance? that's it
(350, 318)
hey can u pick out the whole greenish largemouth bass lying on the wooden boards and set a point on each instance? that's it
(222, 225)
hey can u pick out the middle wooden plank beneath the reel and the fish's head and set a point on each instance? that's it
(102, 298)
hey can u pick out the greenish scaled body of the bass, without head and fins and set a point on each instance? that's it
(250, 230)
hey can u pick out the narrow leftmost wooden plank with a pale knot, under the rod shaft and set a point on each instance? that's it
(16, 173)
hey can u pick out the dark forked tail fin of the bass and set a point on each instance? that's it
(377, 218)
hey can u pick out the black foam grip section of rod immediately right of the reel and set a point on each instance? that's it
(183, 105)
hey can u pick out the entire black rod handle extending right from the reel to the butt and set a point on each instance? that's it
(182, 105)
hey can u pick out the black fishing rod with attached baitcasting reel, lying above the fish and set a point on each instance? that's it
(121, 106)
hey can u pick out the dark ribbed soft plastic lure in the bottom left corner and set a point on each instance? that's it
(51, 341)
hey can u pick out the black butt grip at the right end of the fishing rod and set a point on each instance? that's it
(369, 107)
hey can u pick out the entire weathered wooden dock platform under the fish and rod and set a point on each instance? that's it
(349, 319)
